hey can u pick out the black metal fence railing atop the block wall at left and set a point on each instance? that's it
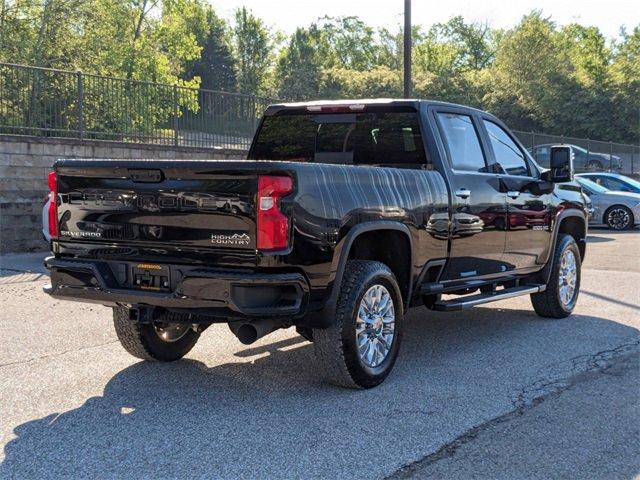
(57, 103)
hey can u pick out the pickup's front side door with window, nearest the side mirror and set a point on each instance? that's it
(528, 213)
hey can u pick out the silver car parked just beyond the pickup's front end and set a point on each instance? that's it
(616, 210)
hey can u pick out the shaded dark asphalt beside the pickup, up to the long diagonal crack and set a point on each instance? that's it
(274, 415)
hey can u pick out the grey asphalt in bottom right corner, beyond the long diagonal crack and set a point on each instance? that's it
(554, 438)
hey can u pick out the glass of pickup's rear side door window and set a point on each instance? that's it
(462, 142)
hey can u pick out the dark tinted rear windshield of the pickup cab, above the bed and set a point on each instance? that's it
(375, 138)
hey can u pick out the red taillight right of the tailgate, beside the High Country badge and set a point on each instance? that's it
(272, 224)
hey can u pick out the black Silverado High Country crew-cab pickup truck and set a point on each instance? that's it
(343, 216)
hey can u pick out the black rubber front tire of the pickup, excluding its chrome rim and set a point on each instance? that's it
(549, 303)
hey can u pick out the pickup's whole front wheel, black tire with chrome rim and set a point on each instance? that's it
(561, 295)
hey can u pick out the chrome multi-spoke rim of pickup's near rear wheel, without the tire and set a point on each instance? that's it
(375, 326)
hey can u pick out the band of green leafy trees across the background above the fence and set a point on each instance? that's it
(536, 76)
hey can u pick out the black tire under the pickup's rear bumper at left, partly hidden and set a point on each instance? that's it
(142, 340)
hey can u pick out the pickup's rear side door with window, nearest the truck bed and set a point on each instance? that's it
(478, 213)
